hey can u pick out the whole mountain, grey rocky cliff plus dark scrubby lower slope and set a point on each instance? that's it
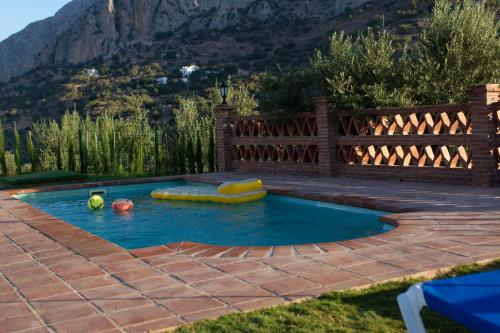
(131, 44)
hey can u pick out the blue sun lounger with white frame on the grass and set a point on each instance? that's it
(471, 300)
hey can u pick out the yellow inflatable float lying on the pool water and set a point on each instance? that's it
(228, 193)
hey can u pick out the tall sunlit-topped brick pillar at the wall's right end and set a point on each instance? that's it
(483, 104)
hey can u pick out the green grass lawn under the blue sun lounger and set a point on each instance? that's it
(370, 310)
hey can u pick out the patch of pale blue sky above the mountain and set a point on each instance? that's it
(17, 14)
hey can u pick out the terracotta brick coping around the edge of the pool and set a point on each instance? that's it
(197, 250)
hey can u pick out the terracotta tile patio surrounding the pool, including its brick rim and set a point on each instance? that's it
(55, 277)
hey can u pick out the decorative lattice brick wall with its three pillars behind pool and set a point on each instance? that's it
(457, 144)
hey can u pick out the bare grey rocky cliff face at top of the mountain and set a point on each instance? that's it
(86, 29)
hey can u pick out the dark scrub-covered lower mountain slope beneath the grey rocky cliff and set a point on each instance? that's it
(239, 50)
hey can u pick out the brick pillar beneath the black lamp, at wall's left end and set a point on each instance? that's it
(223, 117)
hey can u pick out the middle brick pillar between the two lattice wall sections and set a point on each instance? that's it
(326, 137)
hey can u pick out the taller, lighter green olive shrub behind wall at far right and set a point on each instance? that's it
(459, 47)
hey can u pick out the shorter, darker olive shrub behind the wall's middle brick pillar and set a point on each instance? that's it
(360, 72)
